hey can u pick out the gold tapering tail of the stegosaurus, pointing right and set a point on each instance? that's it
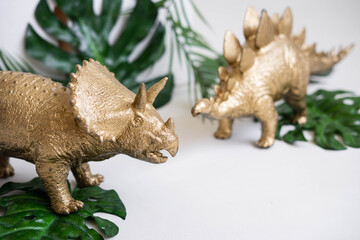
(322, 62)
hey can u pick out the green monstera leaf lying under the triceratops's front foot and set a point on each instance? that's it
(29, 216)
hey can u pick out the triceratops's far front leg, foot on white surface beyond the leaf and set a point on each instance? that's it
(84, 177)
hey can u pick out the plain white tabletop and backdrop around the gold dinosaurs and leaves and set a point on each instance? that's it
(215, 189)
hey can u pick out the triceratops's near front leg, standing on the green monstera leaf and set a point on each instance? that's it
(54, 178)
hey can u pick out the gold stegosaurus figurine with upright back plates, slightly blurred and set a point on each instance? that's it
(273, 64)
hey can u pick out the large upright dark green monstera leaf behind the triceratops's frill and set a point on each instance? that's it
(85, 35)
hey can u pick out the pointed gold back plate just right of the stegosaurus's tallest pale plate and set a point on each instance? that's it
(265, 32)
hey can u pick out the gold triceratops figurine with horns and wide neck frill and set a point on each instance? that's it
(62, 128)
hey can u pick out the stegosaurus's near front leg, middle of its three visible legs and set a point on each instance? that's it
(268, 116)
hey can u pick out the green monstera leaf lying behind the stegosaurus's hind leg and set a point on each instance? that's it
(331, 115)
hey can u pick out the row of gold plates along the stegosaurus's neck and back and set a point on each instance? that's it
(259, 31)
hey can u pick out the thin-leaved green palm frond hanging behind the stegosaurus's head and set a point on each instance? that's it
(200, 59)
